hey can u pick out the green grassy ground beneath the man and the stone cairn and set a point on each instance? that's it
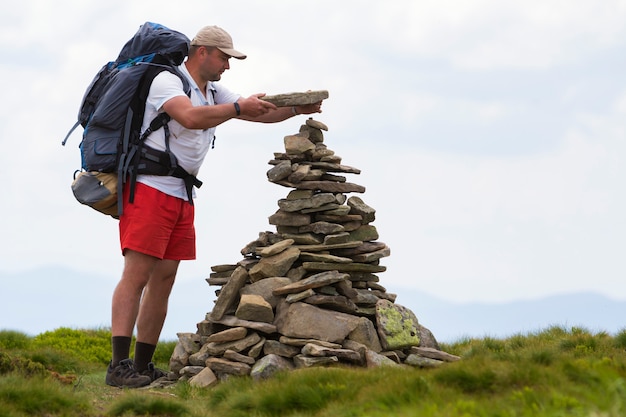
(554, 372)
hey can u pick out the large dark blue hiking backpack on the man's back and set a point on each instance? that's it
(111, 114)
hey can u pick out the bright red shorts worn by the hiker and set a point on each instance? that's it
(158, 225)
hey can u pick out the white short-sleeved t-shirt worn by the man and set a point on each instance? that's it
(189, 145)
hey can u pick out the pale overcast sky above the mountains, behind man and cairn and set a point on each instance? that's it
(489, 135)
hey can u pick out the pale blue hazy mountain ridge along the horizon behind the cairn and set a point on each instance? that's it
(44, 299)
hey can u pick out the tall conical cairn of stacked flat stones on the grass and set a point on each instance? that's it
(307, 294)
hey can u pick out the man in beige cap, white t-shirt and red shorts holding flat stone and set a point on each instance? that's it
(157, 230)
